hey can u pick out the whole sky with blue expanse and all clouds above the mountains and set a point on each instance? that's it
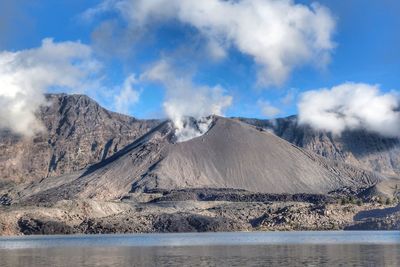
(250, 58)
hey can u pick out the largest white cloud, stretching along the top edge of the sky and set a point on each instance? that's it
(278, 35)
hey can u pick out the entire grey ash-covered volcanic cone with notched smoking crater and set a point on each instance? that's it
(232, 154)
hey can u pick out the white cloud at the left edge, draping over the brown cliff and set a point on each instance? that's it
(25, 75)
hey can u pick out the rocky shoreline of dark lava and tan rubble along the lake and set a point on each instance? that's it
(198, 210)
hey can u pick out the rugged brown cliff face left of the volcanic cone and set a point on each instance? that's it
(79, 132)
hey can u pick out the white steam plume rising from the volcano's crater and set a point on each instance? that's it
(185, 100)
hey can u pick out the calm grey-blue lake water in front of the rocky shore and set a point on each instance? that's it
(206, 249)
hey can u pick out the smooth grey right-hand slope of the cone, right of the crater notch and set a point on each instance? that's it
(233, 154)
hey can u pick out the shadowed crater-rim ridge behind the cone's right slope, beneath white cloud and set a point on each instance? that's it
(359, 148)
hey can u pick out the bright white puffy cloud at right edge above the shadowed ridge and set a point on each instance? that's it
(351, 106)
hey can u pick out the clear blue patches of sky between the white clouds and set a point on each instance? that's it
(367, 39)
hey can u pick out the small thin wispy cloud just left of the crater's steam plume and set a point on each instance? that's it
(127, 96)
